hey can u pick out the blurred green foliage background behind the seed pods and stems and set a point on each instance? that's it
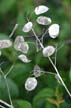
(49, 93)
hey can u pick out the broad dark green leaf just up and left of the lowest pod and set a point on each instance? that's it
(20, 72)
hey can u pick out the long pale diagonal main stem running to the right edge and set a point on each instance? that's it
(53, 65)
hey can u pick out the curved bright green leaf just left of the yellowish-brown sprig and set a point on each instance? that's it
(42, 96)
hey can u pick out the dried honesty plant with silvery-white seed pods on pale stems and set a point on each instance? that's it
(22, 46)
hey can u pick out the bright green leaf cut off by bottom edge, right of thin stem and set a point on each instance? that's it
(21, 104)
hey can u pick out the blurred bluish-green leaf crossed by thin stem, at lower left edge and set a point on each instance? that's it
(3, 89)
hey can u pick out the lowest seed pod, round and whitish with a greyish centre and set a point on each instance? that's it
(30, 83)
